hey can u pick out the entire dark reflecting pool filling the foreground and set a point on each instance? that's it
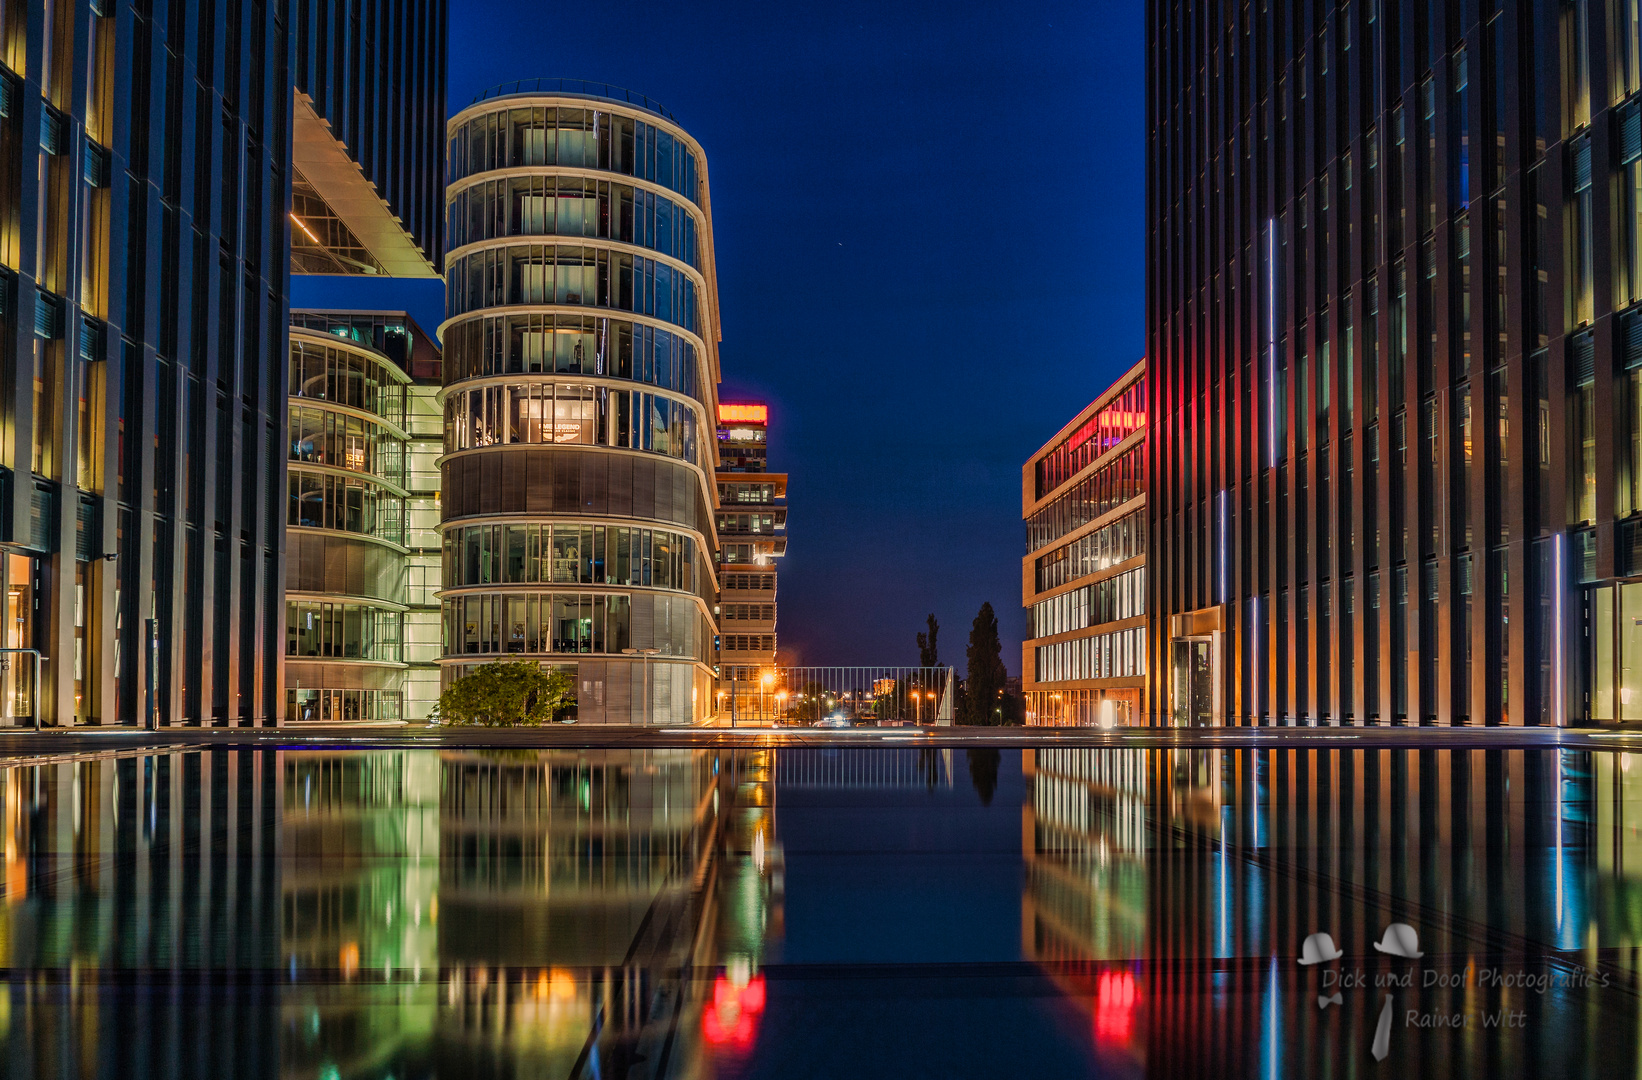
(822, 913)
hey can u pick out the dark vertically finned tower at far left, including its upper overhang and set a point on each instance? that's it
(145, 240)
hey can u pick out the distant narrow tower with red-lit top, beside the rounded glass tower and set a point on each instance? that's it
(753, 536)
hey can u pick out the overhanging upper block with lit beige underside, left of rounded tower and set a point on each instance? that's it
(369, 127)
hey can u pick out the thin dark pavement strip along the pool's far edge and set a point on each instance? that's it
(22, 744)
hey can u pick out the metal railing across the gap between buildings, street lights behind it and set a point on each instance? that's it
(761, 695)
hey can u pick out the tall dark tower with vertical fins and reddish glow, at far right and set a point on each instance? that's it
(1393, 267)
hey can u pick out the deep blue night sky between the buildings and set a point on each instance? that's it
(929, 226)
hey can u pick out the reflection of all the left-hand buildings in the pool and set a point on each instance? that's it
(387, 913)
